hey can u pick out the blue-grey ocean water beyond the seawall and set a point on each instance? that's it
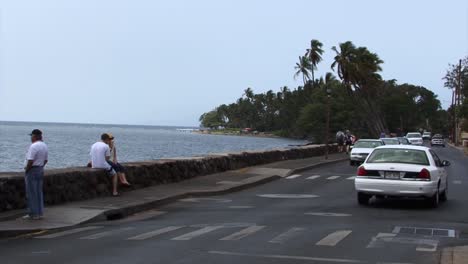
(69, 144)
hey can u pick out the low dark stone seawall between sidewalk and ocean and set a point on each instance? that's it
(74, 184)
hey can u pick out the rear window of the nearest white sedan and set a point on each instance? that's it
(407, 156)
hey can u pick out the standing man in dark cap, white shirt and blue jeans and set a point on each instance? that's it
(36, 158)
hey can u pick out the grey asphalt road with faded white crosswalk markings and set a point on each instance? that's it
(312, 217)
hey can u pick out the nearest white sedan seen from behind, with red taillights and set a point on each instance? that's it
(402, 171)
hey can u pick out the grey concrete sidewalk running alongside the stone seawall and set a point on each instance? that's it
(109, 208)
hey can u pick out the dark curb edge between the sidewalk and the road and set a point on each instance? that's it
(115, 214)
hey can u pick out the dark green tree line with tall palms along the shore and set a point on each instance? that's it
(360, 100)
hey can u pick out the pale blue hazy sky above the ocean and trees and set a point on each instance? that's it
(168, 62)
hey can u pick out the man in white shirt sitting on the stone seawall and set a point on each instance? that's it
(100, 157)
